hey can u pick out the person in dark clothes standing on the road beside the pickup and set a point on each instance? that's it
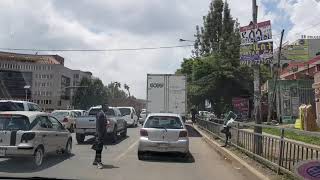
(101, 122)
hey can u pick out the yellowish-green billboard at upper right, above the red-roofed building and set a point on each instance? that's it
(298, 51)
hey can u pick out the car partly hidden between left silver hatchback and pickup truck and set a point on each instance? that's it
(66, 117)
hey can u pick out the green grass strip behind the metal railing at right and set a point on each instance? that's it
(294, 136)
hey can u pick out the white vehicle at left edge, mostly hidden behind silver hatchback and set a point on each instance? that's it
(12, 105)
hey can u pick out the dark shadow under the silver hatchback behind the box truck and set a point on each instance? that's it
(168, 158)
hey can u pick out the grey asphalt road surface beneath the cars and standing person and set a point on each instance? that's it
(121, 163)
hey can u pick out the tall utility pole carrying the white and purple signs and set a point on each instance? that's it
(257, 88)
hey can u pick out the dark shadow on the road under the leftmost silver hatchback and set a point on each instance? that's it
(24, 165)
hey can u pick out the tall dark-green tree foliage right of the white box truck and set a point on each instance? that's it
(214, 72)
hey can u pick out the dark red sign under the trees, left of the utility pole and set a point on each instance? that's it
(241, 107)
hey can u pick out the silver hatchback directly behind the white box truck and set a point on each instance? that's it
(163, 132)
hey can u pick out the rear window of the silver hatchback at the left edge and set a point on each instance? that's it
(14, 122)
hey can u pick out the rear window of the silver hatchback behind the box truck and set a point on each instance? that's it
(166, 122)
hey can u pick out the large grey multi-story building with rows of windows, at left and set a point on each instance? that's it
(52, 85)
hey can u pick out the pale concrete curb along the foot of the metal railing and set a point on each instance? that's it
(230, 155)
